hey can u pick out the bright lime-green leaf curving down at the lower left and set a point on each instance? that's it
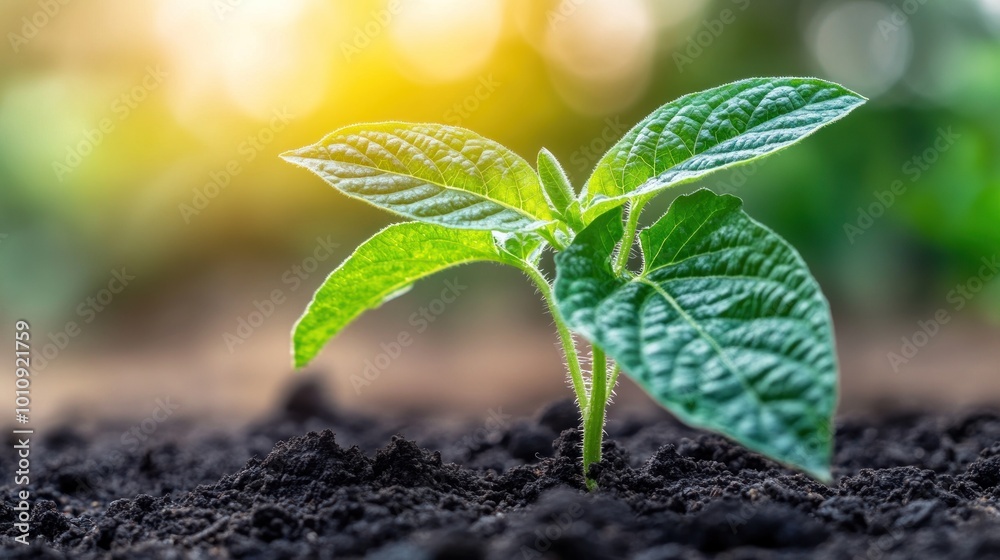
(380, 269)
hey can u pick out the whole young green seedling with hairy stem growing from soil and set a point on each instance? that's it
(722, 324)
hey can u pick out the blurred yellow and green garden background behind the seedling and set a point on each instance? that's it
(145, 135)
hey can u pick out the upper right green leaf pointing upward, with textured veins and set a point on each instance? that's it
(704, 132)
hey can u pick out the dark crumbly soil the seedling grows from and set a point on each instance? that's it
(311, 483)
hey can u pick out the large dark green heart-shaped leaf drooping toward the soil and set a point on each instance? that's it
(725, 327)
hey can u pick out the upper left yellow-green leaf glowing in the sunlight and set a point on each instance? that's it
(433, 173)
